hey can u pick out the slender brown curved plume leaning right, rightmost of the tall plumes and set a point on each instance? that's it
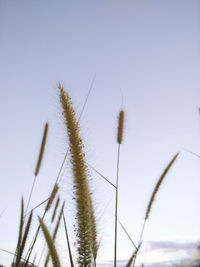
(157, 186)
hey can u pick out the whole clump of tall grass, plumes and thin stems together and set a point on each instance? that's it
(87, 237)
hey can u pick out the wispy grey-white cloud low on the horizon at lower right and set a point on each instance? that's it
(164, 254)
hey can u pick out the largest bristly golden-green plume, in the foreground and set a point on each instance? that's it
(86, 225)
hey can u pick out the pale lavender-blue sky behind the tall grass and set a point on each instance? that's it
(142, 56)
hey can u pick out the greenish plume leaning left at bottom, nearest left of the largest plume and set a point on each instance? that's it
(50, 243)
